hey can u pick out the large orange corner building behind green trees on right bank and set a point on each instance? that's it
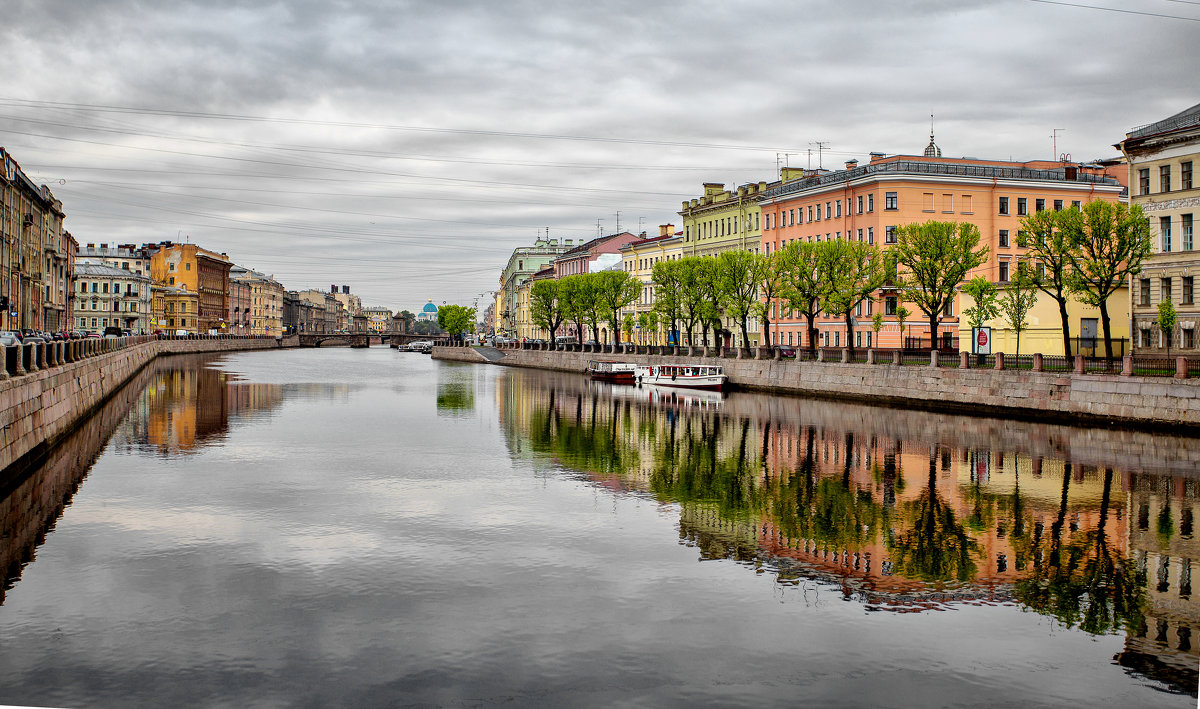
(869, 203)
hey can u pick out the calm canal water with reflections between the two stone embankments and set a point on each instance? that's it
(367, 528)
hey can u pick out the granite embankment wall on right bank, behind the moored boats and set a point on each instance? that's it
(1155, 402)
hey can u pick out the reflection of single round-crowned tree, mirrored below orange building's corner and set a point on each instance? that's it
(935, 546)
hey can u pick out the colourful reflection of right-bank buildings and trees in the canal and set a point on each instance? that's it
(903, 510)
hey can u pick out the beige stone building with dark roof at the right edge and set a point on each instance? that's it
(1162, 160)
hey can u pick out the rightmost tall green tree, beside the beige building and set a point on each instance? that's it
(1111, 243)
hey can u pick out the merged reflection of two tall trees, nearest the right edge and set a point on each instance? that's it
(1085, 581)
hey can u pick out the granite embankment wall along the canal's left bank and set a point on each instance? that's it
(39, 408)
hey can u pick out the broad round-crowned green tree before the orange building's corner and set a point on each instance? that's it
(937, 257)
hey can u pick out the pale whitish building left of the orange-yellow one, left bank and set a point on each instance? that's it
(111, 298)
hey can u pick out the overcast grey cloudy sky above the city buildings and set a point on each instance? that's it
(405, 149)
